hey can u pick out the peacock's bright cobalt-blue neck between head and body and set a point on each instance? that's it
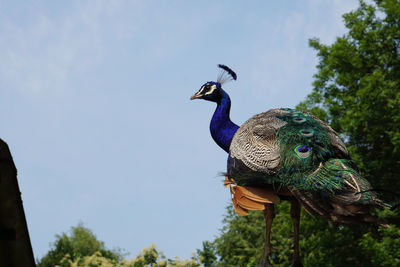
(221, 127)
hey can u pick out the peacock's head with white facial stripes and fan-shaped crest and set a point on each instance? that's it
(212, 91)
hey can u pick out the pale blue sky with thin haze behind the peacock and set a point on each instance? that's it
(94, 105)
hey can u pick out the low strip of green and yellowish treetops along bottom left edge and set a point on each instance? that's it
(82, 249)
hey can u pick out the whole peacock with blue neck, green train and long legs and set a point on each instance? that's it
(287, 154)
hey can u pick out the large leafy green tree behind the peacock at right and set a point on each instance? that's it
(356, 90)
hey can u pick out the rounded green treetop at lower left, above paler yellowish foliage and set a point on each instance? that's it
(80, 243)
